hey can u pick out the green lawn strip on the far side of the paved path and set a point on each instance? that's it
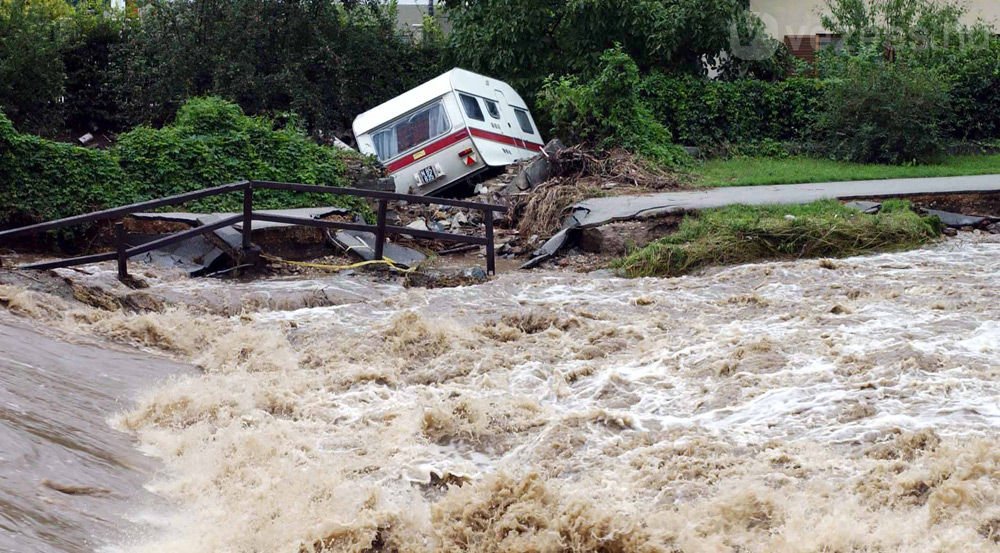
(746, 171)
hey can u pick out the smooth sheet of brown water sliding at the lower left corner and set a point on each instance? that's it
(66, 477)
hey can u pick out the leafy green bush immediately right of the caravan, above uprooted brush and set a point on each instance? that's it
(608, 112)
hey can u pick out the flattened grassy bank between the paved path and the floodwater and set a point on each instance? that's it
(744, 234)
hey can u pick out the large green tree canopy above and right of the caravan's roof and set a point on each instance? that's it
(526, 41)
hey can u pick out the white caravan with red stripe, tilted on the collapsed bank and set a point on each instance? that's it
(447, 130)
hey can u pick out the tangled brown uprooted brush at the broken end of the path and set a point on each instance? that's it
(579, 173)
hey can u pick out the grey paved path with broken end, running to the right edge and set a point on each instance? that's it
(600, 211)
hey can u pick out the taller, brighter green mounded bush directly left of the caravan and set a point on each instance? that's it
(213, 142)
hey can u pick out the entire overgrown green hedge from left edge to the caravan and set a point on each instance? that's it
(212, 142)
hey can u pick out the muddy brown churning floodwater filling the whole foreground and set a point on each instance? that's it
(807, 406)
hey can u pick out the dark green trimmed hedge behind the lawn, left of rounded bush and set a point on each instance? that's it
(710, 113)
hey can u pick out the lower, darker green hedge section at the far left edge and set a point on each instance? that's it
(41, 179)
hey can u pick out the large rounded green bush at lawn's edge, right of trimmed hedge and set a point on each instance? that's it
(885, 113)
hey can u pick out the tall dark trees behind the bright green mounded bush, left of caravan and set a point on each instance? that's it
(326, 61)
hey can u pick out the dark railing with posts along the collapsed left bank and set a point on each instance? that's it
(381, 229)
